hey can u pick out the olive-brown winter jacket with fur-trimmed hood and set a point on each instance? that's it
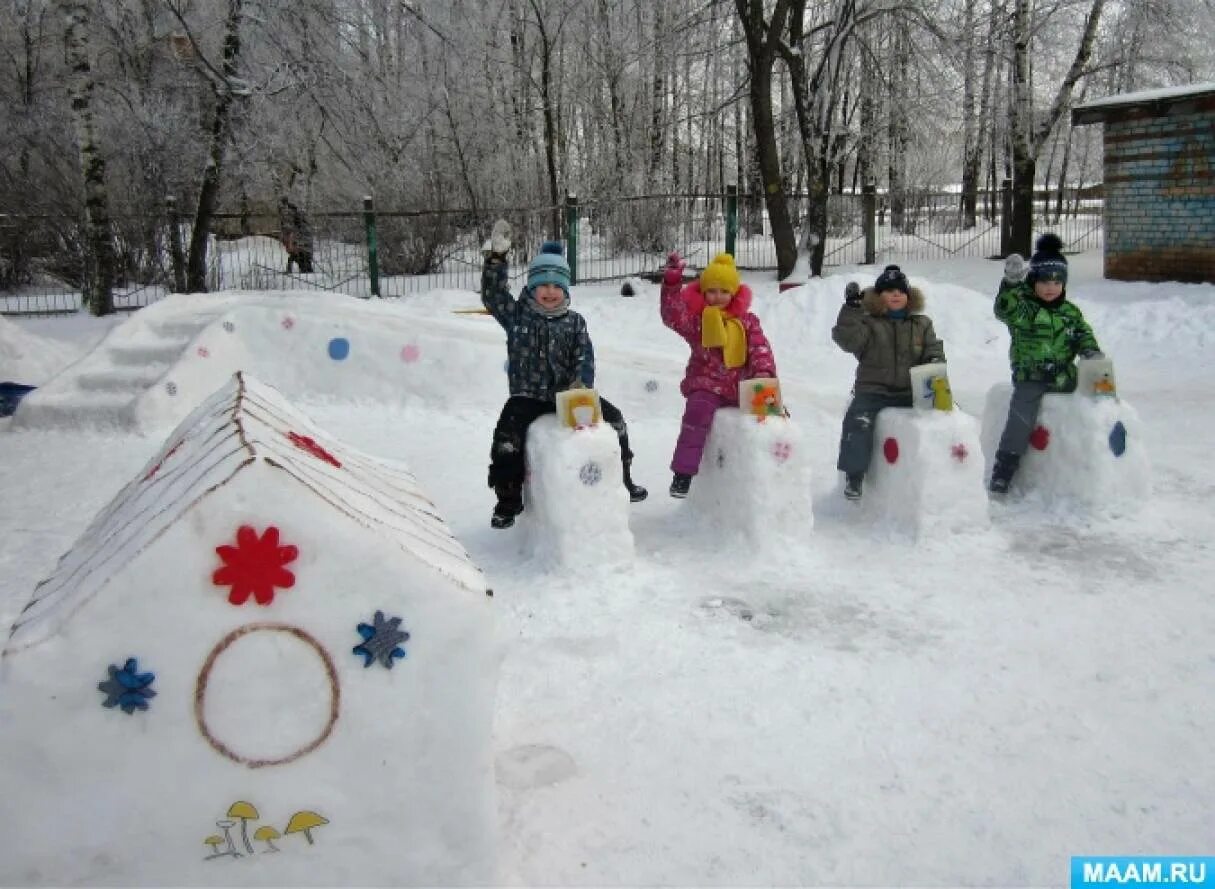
(888, 349)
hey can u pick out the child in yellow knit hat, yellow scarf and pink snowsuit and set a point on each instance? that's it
(714, 315)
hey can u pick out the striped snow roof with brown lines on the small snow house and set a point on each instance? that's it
(245, 426)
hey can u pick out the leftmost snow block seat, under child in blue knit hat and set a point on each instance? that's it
(577, 507)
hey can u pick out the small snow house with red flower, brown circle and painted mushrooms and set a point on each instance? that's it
(268, 661)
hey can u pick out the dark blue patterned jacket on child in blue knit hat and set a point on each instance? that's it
(546, 355)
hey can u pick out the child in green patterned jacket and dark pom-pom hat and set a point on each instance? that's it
(1049, 333)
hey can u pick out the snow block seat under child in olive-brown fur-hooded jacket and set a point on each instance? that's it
(926, 475)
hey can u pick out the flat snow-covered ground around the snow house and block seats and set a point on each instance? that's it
(866, 711)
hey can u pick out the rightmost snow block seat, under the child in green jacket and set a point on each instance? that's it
(1086, 451)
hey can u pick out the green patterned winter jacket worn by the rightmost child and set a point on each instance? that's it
(1047, 337)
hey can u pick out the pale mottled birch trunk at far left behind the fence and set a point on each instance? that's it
(99, 281)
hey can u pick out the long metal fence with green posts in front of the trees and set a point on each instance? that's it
(375, 253)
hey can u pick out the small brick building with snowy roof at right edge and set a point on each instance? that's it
(1160, 183)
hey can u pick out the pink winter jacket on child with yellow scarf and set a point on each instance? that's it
(707, 371)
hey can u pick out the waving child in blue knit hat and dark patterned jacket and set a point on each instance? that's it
(549, 352)
